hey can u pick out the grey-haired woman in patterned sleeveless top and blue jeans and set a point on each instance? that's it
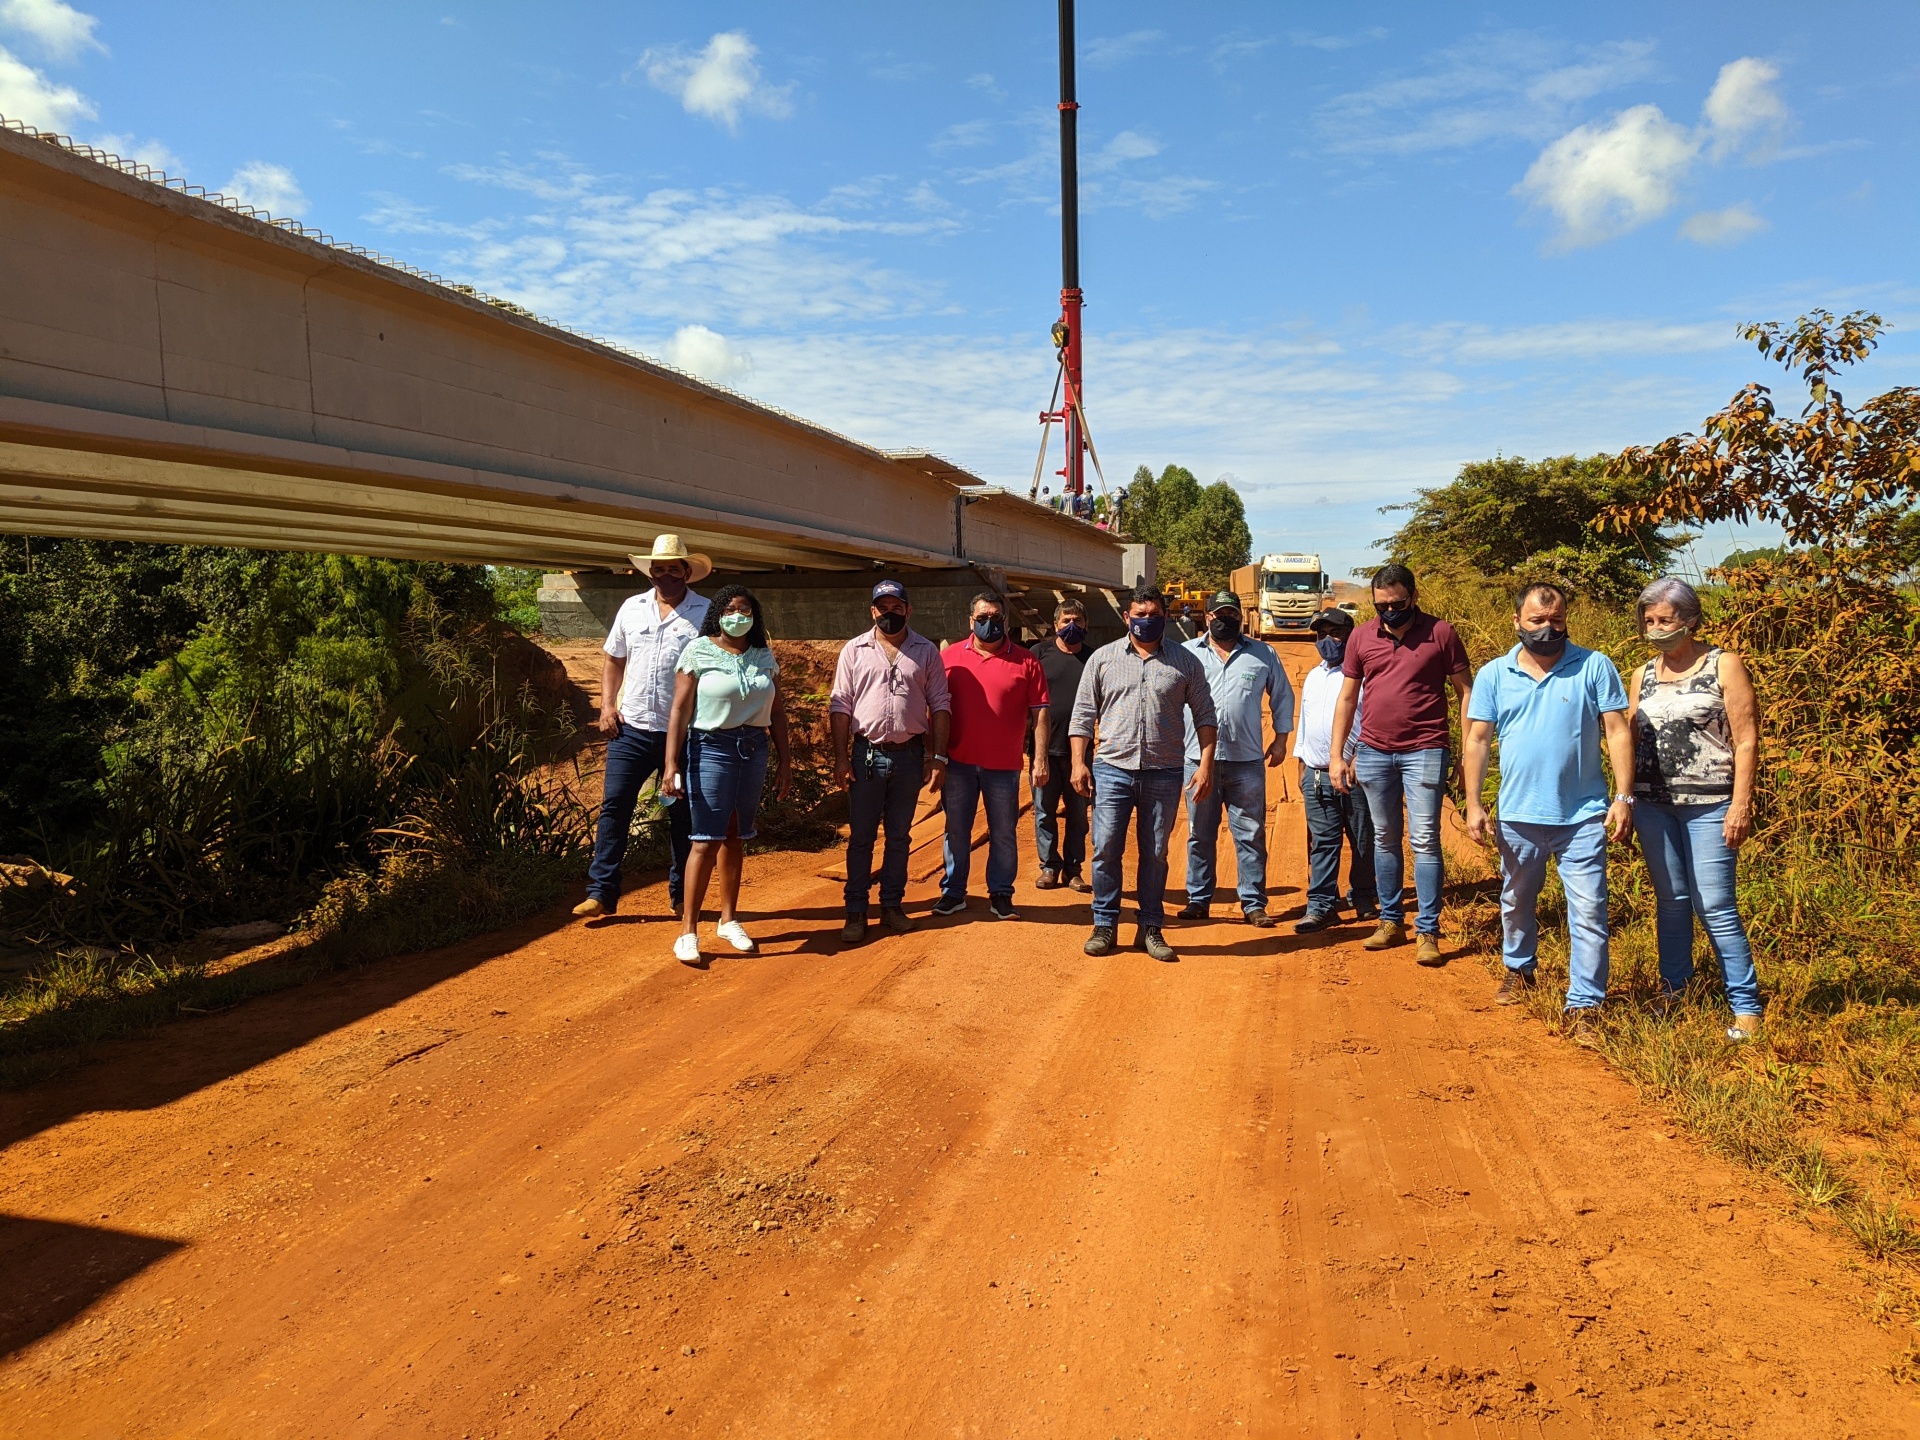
(1696, 740)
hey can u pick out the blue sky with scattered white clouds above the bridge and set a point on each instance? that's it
(1330, 262)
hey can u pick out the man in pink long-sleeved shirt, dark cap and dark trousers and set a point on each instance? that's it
(888, 702)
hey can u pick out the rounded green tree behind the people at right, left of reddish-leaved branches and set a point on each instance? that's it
(1516, 519)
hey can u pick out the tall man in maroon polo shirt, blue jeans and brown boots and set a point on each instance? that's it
(1406, 660)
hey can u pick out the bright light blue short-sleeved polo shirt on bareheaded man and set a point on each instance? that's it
(1548, 732)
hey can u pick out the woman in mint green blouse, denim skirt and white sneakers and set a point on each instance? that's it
(727, 709)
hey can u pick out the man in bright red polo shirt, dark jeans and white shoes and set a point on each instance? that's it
(996, 686)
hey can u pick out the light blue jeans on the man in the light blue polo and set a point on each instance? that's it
(1524, 871)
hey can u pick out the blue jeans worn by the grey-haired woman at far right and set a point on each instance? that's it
(1692, 875)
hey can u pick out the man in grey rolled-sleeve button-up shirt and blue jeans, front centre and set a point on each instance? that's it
(1134, 700)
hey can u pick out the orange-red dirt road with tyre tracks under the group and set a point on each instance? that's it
(957, 1184)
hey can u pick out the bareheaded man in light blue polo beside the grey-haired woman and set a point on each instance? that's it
(1548, 704)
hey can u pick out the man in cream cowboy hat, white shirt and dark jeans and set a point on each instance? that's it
(636, 700)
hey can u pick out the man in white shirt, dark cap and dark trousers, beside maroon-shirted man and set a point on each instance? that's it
(1332, 813)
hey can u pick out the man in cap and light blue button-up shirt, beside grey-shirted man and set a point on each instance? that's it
(1247, 683)
